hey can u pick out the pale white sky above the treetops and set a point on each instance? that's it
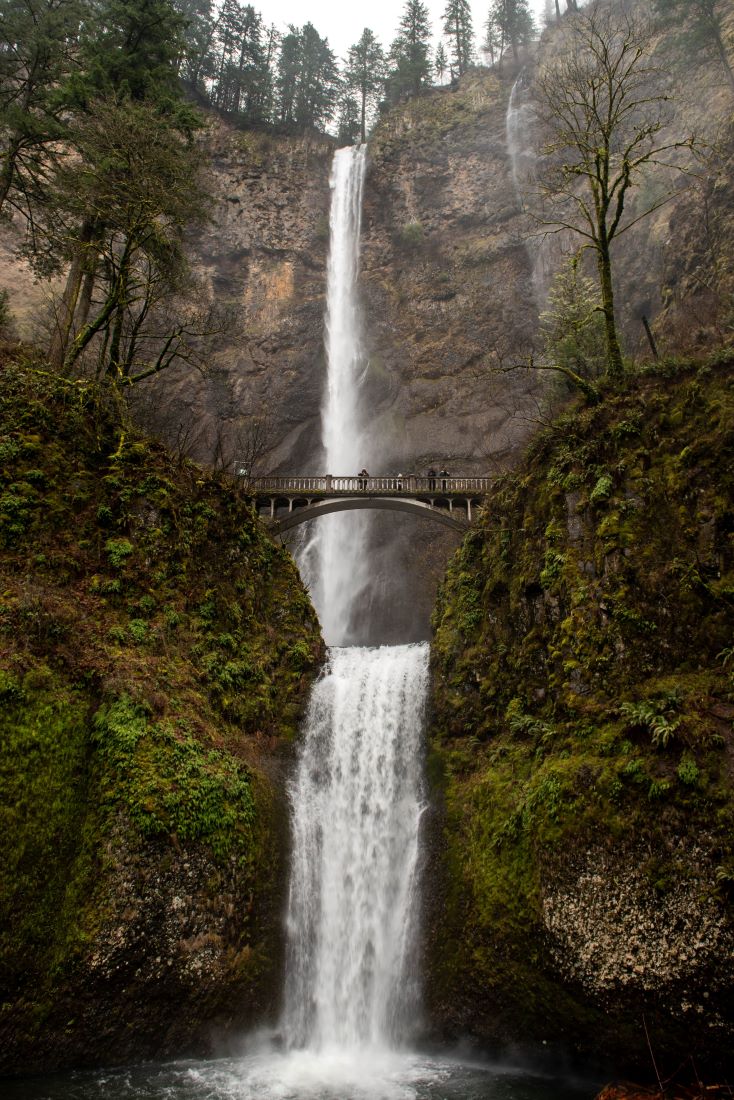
(343, 21)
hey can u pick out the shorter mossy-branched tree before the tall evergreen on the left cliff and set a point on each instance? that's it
(137, 181)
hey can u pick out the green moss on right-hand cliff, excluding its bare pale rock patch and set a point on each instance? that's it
(576, 691)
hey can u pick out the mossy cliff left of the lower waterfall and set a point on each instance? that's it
(156, 650)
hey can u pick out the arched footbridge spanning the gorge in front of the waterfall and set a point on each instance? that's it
(287, 502)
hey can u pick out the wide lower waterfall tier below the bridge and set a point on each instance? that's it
(357, 805)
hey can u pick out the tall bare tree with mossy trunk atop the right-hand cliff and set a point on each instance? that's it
(604, 105)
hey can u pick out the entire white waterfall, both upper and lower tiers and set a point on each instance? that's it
(356, 797)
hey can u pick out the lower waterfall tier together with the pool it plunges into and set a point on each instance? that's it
(350, 998)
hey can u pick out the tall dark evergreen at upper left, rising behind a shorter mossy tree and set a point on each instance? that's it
(129, 57)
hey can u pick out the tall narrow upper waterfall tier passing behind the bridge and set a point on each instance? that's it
(335, 562)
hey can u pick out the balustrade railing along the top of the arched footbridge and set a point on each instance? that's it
(408, 485)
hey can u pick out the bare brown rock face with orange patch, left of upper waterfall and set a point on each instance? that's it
(264, 257)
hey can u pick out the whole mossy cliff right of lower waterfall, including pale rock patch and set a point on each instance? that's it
(584, 740)
